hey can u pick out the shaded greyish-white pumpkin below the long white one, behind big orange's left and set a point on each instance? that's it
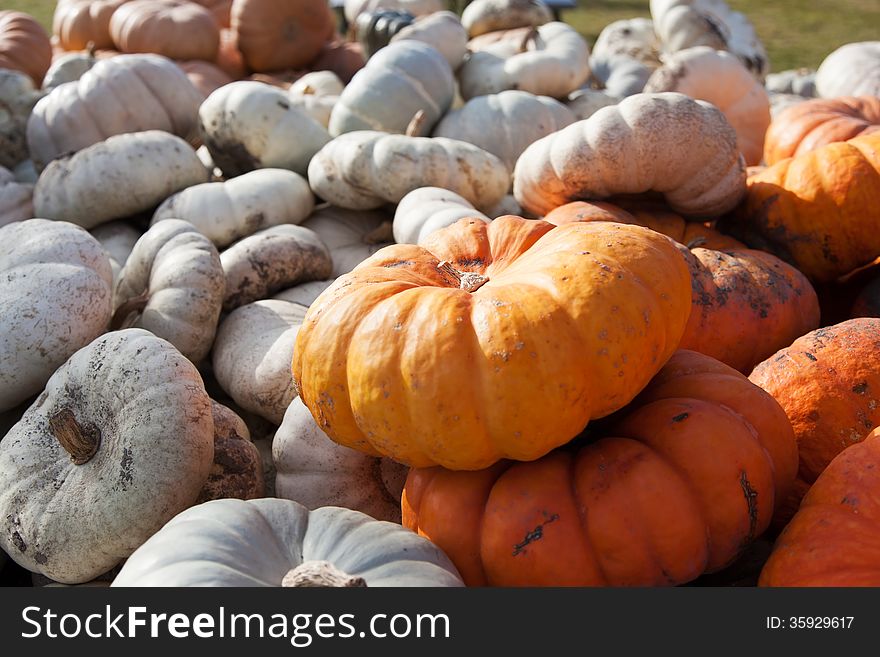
(352, 236)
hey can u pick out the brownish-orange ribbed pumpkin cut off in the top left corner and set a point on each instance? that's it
(24, 45)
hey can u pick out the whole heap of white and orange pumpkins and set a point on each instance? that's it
(572, 318)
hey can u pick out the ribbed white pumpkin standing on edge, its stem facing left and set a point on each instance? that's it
(173, 286)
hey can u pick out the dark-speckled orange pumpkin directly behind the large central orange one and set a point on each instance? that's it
(747, 304)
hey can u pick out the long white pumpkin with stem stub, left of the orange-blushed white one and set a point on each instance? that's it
(365, 169)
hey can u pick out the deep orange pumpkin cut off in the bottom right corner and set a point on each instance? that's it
(834, 539)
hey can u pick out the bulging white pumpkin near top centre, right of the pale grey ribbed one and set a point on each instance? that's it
(551, 60)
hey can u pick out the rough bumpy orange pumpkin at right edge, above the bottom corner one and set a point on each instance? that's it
(828, 382)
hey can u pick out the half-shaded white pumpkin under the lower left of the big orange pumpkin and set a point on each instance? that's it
(314, 471)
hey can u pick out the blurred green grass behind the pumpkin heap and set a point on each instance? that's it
(796, 33)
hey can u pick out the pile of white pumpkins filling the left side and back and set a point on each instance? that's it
(159, 250)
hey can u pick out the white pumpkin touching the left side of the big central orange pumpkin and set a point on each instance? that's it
(252, 356)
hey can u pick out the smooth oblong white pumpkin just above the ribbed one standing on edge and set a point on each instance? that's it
(228, 211)
